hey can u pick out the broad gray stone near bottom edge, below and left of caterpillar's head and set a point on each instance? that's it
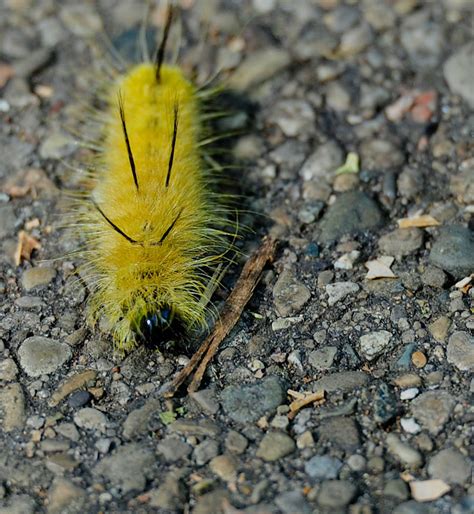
(128, 468)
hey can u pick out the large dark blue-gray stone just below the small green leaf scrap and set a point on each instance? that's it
(351, 213)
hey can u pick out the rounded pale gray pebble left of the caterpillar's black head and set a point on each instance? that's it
(42, 356)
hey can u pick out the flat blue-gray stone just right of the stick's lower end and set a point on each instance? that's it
(248, 403)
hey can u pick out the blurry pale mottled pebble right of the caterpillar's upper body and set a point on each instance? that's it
(294, 117)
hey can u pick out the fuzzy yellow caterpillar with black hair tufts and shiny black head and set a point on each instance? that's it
(154, 230)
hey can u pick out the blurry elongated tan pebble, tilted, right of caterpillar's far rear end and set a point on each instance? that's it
(259, 66)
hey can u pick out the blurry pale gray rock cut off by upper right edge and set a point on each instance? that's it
(459, 72)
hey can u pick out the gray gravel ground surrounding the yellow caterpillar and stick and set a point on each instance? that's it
(361, 115)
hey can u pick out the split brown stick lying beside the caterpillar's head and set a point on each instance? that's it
(230, 314)
